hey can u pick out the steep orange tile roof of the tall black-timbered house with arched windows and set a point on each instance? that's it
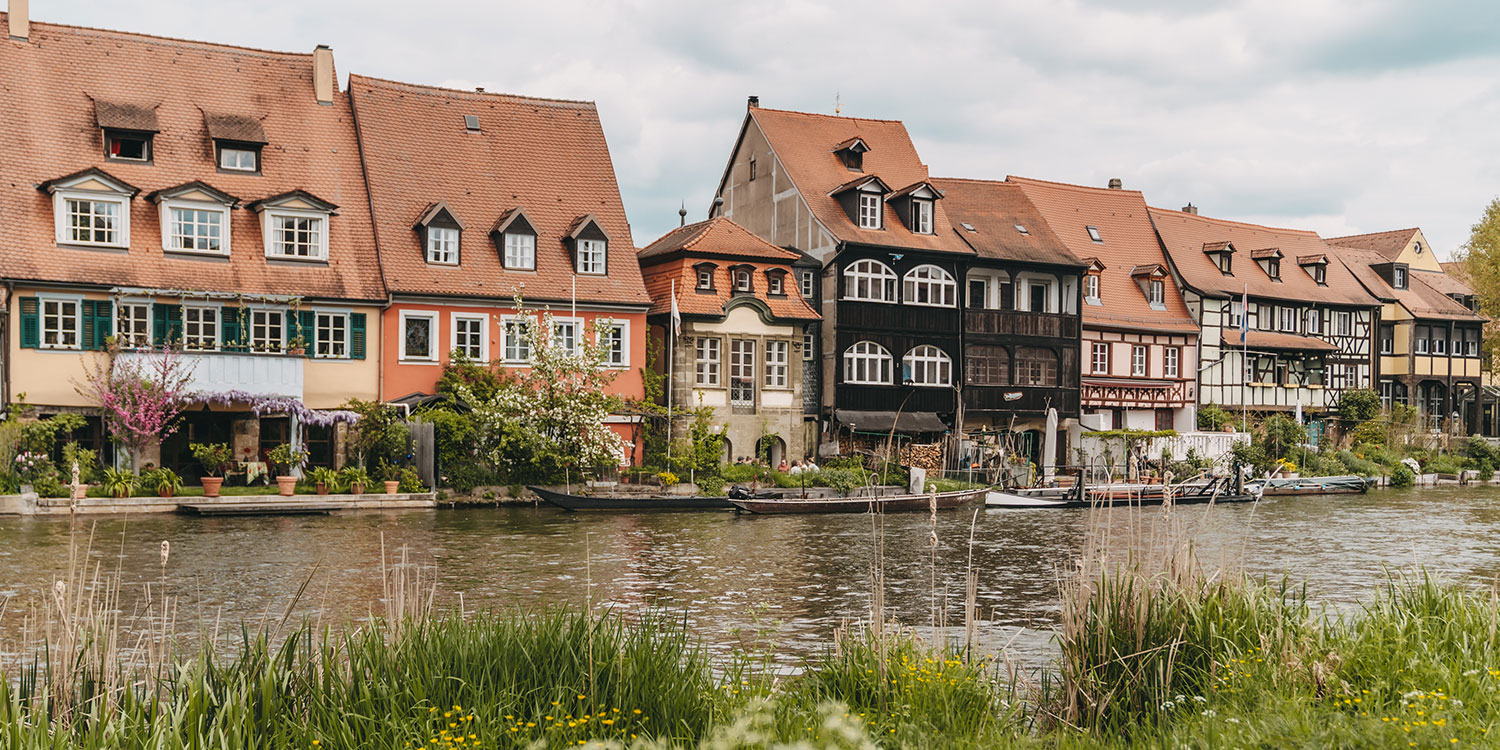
(806, 143)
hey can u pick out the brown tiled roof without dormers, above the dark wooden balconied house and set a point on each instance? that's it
(995, 209)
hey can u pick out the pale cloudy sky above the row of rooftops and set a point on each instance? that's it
(1334, 116)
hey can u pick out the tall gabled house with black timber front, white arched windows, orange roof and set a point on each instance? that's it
(854, 196)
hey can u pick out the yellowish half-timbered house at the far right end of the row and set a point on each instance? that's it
(1427, 343)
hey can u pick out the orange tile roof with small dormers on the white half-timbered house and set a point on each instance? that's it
(1184, 236)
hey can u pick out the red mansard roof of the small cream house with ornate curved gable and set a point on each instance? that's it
(679, 251)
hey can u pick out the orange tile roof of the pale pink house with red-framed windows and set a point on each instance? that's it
(1129, 242)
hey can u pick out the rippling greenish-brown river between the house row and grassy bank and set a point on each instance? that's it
(788, 580)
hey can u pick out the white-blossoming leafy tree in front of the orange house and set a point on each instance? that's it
(548, 418)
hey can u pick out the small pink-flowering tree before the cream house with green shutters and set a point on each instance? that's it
(140, 397)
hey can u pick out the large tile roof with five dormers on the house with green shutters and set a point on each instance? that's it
(313, 148)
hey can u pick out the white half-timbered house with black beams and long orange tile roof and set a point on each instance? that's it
(1283, 323)
